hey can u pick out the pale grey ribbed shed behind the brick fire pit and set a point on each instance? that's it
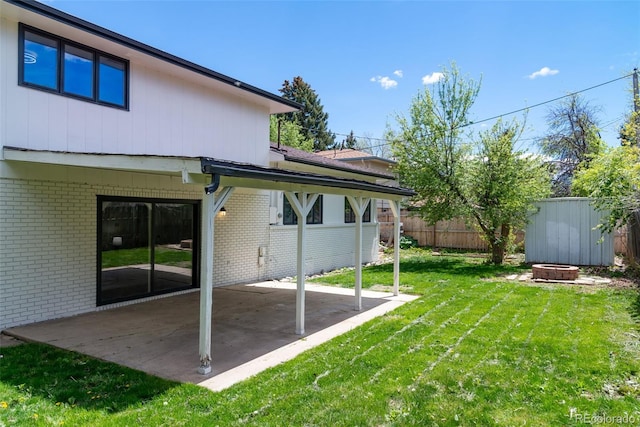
(562, 232)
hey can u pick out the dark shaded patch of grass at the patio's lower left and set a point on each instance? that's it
(69, 378)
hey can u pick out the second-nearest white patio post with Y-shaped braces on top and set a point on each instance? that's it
(301, 203)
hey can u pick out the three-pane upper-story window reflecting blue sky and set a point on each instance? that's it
(61, 66)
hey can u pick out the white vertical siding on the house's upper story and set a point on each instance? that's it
(169, 115)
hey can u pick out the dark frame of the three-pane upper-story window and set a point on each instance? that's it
(60, 68)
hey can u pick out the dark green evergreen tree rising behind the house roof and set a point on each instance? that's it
(311, 120)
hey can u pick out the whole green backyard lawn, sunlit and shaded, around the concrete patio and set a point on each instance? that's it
(474, 349)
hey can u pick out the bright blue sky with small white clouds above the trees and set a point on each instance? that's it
(367, 59)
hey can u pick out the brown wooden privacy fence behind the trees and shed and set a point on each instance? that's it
(456, 234)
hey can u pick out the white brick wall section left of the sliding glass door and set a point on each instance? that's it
(47, 250)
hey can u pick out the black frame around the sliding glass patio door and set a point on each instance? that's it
(195, 263)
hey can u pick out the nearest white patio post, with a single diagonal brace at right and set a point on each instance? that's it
(210, 207)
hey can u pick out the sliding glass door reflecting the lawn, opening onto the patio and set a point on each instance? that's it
(145, 247)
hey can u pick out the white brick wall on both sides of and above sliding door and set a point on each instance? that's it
(48, 240)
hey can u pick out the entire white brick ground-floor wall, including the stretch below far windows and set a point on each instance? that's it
(48, 232)
